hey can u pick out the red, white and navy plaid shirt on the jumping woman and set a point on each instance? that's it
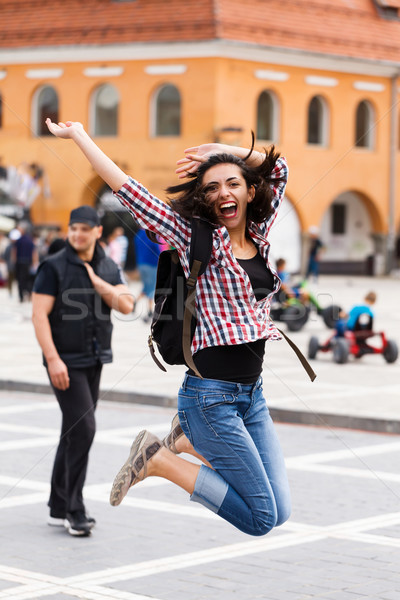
(227, 310)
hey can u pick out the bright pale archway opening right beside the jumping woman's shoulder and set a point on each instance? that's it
(285, 237)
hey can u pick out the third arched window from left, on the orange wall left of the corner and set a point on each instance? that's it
(167, 117)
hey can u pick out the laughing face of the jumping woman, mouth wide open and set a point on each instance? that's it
(225, 187)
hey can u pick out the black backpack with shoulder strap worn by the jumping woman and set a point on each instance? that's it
(173, 323)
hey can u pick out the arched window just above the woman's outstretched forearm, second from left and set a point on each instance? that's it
(104, 111)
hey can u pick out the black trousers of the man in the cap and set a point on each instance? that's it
(78, 405)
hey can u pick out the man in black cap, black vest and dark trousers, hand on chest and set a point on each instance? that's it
(74, 292)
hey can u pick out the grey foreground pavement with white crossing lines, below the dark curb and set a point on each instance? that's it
(341, 543)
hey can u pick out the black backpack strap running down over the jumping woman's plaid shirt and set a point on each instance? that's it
(200, 252)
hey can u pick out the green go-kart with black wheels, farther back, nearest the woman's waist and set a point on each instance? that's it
(295, 311)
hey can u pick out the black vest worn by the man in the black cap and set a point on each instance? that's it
(80, 321)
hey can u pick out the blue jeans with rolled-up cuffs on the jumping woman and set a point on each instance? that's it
(229, 424)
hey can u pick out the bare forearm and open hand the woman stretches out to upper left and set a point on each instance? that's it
(100, 162)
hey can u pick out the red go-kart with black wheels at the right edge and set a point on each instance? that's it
(354, 343)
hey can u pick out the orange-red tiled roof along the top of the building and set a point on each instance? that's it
(356, 28)
